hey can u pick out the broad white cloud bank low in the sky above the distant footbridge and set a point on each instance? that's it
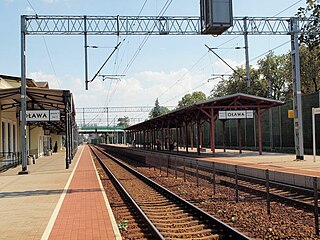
(142, 89)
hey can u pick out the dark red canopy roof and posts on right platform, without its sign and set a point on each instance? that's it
(207, 111)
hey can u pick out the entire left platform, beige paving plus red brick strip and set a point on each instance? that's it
(56, 203)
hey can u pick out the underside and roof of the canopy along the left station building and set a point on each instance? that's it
(41, 99)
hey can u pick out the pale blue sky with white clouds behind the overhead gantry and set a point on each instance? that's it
(166, 67)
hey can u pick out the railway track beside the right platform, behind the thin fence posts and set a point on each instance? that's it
(302, 198)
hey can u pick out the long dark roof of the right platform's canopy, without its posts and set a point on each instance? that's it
(202, 110)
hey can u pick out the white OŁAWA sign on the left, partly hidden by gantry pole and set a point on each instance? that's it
(42, 115)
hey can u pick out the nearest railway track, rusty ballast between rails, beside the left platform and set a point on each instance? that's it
(164, 214)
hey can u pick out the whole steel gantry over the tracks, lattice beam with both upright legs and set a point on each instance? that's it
(140, 25)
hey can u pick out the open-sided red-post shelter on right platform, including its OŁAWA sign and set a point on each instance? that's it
(157, 133)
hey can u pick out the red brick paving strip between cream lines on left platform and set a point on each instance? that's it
(83, 214)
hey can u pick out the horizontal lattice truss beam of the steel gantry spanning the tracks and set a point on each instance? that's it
(131, 25)
